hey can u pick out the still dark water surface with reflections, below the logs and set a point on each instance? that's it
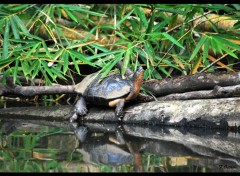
(43, 146)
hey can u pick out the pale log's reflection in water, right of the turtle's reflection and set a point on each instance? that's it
(212, 145)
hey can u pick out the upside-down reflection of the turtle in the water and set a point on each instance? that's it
(110, 149)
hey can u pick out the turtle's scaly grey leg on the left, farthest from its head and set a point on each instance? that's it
(79, 109)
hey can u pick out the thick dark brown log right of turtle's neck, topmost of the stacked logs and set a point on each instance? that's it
(188, 83)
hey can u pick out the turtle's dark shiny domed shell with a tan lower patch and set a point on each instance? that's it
(110, 88)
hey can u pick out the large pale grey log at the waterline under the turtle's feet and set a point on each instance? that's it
(209, 113)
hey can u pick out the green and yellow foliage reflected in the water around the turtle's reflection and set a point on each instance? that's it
(48, 149)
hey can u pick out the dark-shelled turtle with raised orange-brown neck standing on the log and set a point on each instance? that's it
(111, 91)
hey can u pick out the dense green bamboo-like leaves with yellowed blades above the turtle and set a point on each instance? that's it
(51, 41)
